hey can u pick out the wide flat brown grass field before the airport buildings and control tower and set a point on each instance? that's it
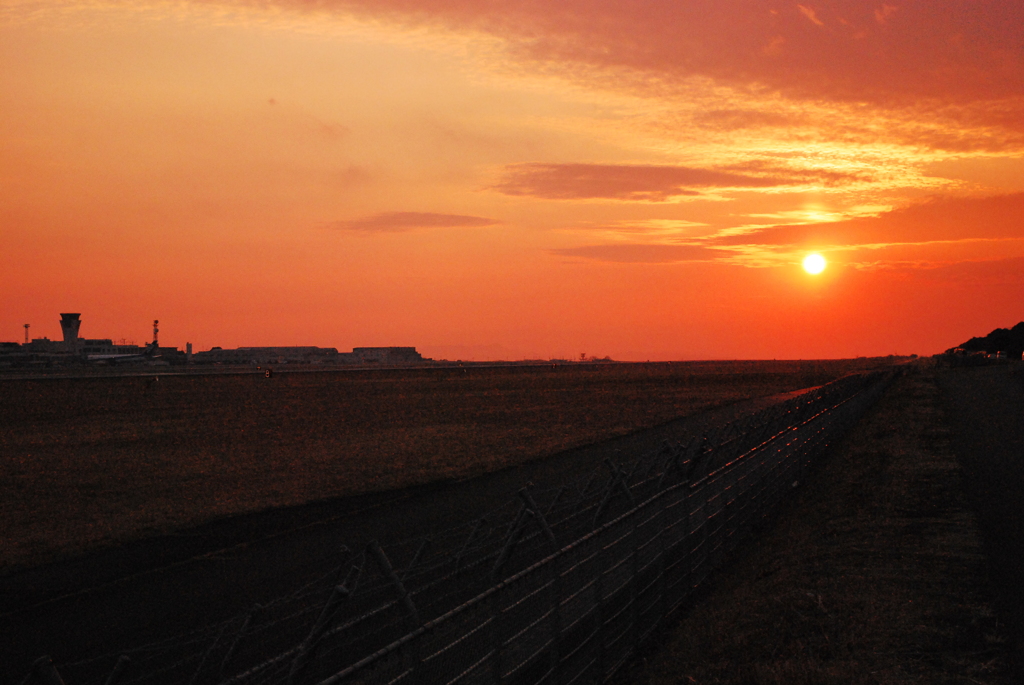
(99, 461)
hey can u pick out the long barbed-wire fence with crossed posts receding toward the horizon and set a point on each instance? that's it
(560, 586)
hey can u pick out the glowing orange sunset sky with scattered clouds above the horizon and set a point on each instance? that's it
(516, 180)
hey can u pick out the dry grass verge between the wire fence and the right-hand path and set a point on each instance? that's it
(874, 574)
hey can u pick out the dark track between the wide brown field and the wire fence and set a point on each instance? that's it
(154, 589)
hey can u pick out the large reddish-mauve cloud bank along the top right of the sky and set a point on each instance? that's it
(944, 50)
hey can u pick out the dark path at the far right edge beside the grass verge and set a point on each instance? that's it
(986, 407)
